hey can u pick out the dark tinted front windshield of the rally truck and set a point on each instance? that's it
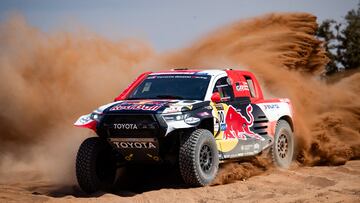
(191, 87)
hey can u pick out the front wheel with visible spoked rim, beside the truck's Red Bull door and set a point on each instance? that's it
(198, 158)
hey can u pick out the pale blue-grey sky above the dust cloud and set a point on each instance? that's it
(166, 24)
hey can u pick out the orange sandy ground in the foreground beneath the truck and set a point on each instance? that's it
(303, 184)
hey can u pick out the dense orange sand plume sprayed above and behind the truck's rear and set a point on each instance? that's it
(282, 51)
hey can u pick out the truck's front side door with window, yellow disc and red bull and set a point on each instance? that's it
(232, 121)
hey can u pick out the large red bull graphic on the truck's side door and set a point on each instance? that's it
(238, 126)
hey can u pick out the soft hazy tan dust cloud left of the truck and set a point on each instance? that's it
(46, 82)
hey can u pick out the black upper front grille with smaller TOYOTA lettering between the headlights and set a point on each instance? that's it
(146, 125)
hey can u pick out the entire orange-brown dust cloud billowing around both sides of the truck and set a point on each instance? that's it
(49, 79)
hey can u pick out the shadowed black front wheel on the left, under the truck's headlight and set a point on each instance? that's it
(95, 165)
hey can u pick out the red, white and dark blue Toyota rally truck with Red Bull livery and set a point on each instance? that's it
(194, 119)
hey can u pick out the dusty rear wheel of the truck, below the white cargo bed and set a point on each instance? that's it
(283, 148)
